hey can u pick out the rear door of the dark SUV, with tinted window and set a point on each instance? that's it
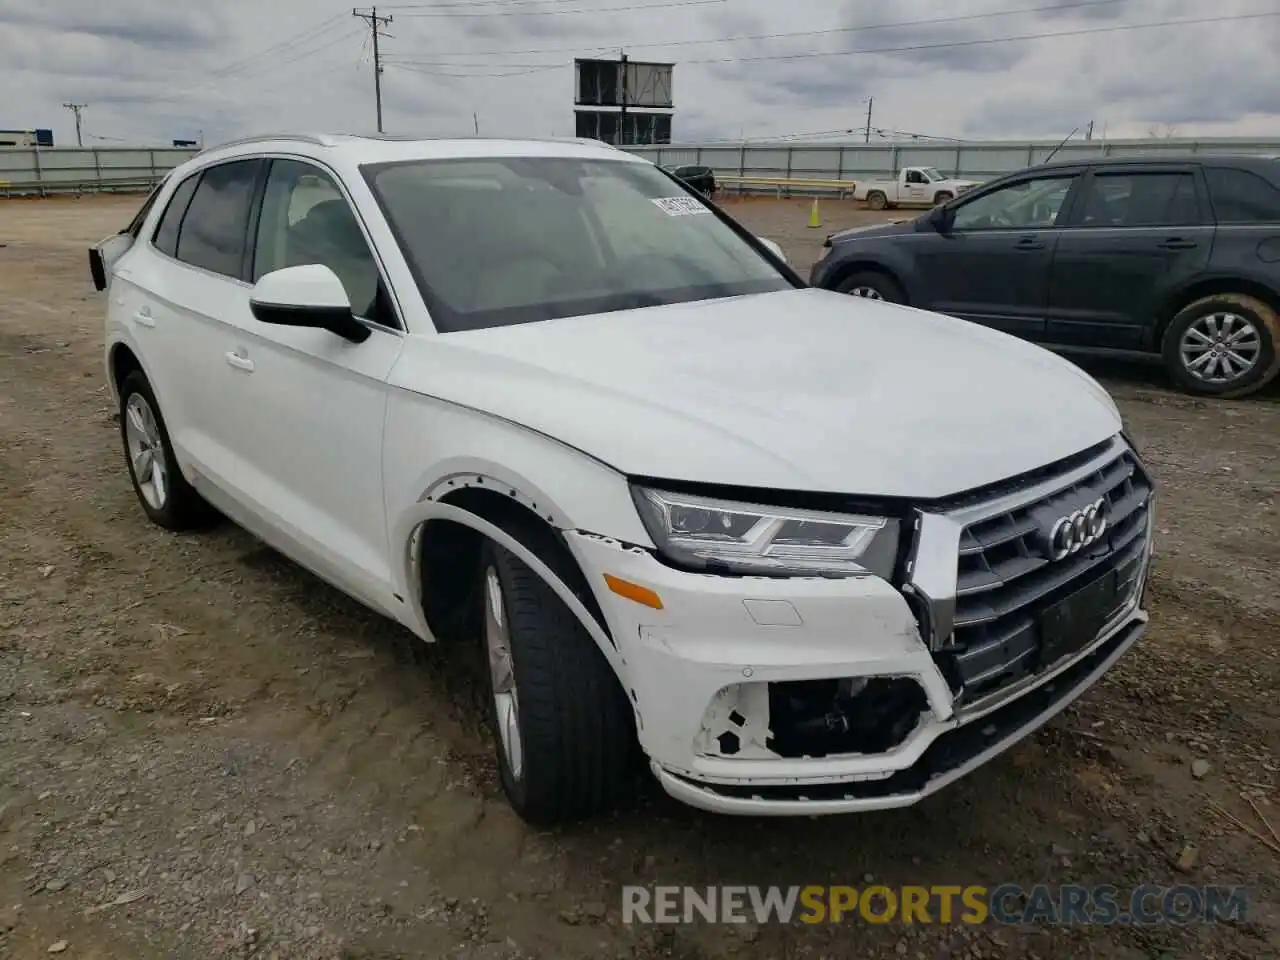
(1137, 234)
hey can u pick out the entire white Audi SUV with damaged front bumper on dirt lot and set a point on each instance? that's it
(811, 554)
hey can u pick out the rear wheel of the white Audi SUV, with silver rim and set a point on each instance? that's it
(166, 496)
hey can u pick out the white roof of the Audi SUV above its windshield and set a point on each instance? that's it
(372, 149)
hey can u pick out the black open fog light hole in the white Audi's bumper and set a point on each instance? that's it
(831, 717)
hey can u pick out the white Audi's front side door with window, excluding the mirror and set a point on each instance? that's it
(312, 404)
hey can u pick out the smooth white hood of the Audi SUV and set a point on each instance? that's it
(803, 390)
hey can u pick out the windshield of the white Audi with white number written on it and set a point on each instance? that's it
(501, 241)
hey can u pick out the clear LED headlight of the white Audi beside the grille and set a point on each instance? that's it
(744, 538)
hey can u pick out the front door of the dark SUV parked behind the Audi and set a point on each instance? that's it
(993, 263)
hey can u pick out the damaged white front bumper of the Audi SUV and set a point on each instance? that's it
(810, 696)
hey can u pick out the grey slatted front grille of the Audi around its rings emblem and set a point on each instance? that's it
(1007, 579)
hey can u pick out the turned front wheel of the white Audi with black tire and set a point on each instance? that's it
(564, 730)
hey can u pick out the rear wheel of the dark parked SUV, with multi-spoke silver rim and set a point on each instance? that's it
(1223, 346)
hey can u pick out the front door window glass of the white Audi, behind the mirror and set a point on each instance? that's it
(308, 221)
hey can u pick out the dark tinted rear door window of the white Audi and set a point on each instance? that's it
(213, 231)
